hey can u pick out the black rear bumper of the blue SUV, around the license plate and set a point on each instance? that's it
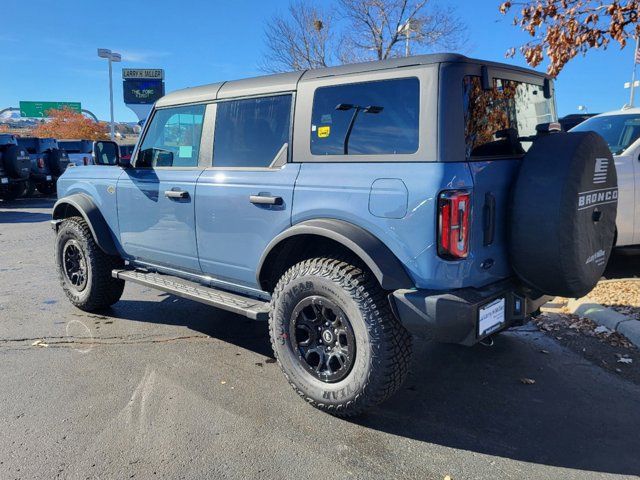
(453, 316)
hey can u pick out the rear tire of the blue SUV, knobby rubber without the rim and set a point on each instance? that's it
(383, 345)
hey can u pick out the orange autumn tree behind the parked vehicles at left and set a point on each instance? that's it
(67, 123)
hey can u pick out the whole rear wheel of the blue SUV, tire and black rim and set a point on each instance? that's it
(335, 337)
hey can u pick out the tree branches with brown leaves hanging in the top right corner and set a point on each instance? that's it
(563, 29)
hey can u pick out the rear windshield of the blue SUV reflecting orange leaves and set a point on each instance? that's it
(498, 121)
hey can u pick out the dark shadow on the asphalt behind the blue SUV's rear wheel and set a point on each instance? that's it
(574, 416)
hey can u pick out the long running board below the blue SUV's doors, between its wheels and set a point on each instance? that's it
(249, 307)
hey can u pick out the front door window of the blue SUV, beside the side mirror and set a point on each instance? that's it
(173, 138)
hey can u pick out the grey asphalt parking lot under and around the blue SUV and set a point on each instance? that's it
(160, 386)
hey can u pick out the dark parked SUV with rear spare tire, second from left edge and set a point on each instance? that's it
(48, 162)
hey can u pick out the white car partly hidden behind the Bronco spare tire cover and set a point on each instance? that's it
(621, 130)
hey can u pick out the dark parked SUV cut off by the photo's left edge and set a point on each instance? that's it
(15, 166)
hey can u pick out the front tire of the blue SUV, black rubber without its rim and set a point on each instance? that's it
(101, 289)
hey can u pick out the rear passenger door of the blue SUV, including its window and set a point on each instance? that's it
(244, 200)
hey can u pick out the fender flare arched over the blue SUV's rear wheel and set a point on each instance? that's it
(382, 262)
